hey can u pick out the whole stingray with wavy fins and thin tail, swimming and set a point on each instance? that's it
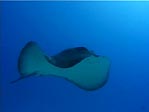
(77, 65)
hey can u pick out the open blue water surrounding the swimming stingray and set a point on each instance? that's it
(118, 30)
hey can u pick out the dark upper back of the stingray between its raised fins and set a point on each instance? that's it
(70, 57)
